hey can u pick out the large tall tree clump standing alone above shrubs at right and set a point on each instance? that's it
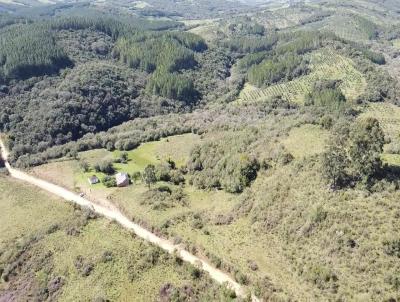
(354, 153)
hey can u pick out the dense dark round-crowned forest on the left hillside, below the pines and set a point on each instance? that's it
(91, 98)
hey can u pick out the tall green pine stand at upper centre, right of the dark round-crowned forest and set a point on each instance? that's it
(164, 55)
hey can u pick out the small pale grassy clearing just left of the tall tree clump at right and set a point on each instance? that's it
(306, 140)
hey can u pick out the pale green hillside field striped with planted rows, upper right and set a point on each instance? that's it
(325, 64)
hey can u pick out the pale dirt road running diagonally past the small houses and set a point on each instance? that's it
(114, 214)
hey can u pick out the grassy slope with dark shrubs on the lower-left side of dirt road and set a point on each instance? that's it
(50, 240)
